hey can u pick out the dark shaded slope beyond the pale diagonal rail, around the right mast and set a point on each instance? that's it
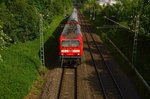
(124, 40)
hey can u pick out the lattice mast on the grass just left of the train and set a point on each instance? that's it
(42, 57)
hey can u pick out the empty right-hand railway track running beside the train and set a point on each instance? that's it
(109, 86)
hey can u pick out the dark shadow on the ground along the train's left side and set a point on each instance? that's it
(52, 47)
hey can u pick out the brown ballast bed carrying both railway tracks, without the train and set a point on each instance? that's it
(93, 79)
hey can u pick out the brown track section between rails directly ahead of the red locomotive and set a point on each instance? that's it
(68, 84)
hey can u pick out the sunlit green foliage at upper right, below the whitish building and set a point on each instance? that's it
(125, 11)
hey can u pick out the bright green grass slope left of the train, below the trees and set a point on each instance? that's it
(21, 66)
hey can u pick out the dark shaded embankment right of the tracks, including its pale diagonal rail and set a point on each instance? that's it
(122, 52)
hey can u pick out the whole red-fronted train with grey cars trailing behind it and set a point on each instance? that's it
(71, 43)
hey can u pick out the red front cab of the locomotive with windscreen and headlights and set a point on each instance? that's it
(71, 50)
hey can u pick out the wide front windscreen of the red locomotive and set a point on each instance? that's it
(72, 43)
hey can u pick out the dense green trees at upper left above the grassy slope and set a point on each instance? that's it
(19, 19)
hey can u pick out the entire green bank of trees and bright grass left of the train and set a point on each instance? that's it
(20, 43)
